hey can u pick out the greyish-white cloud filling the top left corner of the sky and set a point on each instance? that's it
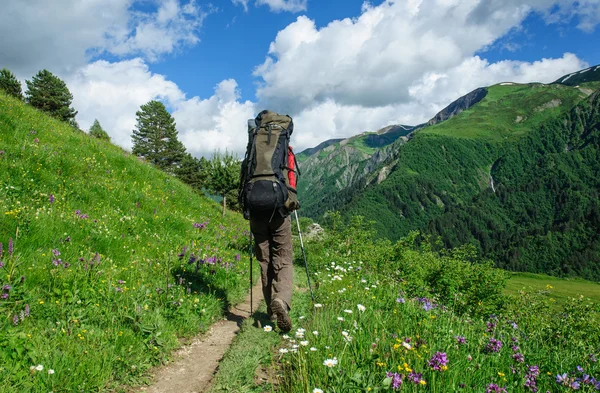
(63, 35)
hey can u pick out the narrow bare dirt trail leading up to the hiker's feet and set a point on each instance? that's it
(195, 364)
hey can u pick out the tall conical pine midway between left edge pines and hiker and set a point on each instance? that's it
(155, 137)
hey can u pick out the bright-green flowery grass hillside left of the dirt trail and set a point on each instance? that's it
(106, 261)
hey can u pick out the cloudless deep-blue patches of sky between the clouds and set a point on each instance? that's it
(247, 35)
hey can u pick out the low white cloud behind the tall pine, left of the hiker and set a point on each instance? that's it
(114, 92)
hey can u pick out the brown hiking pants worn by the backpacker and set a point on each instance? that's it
(273, 249)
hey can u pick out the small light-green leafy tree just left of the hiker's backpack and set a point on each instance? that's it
(223, 175)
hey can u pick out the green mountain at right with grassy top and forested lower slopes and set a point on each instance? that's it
(542, 217)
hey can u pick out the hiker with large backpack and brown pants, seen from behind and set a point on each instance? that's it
(268, 196)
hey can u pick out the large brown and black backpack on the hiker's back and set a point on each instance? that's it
(265, 186)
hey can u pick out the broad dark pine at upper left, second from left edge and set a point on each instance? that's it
(50, 94)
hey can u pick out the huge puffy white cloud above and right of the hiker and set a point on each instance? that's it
(372, 60)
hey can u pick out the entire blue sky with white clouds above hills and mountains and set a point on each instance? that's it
(389, 62)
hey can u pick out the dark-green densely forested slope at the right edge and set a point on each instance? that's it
(543, 214)
